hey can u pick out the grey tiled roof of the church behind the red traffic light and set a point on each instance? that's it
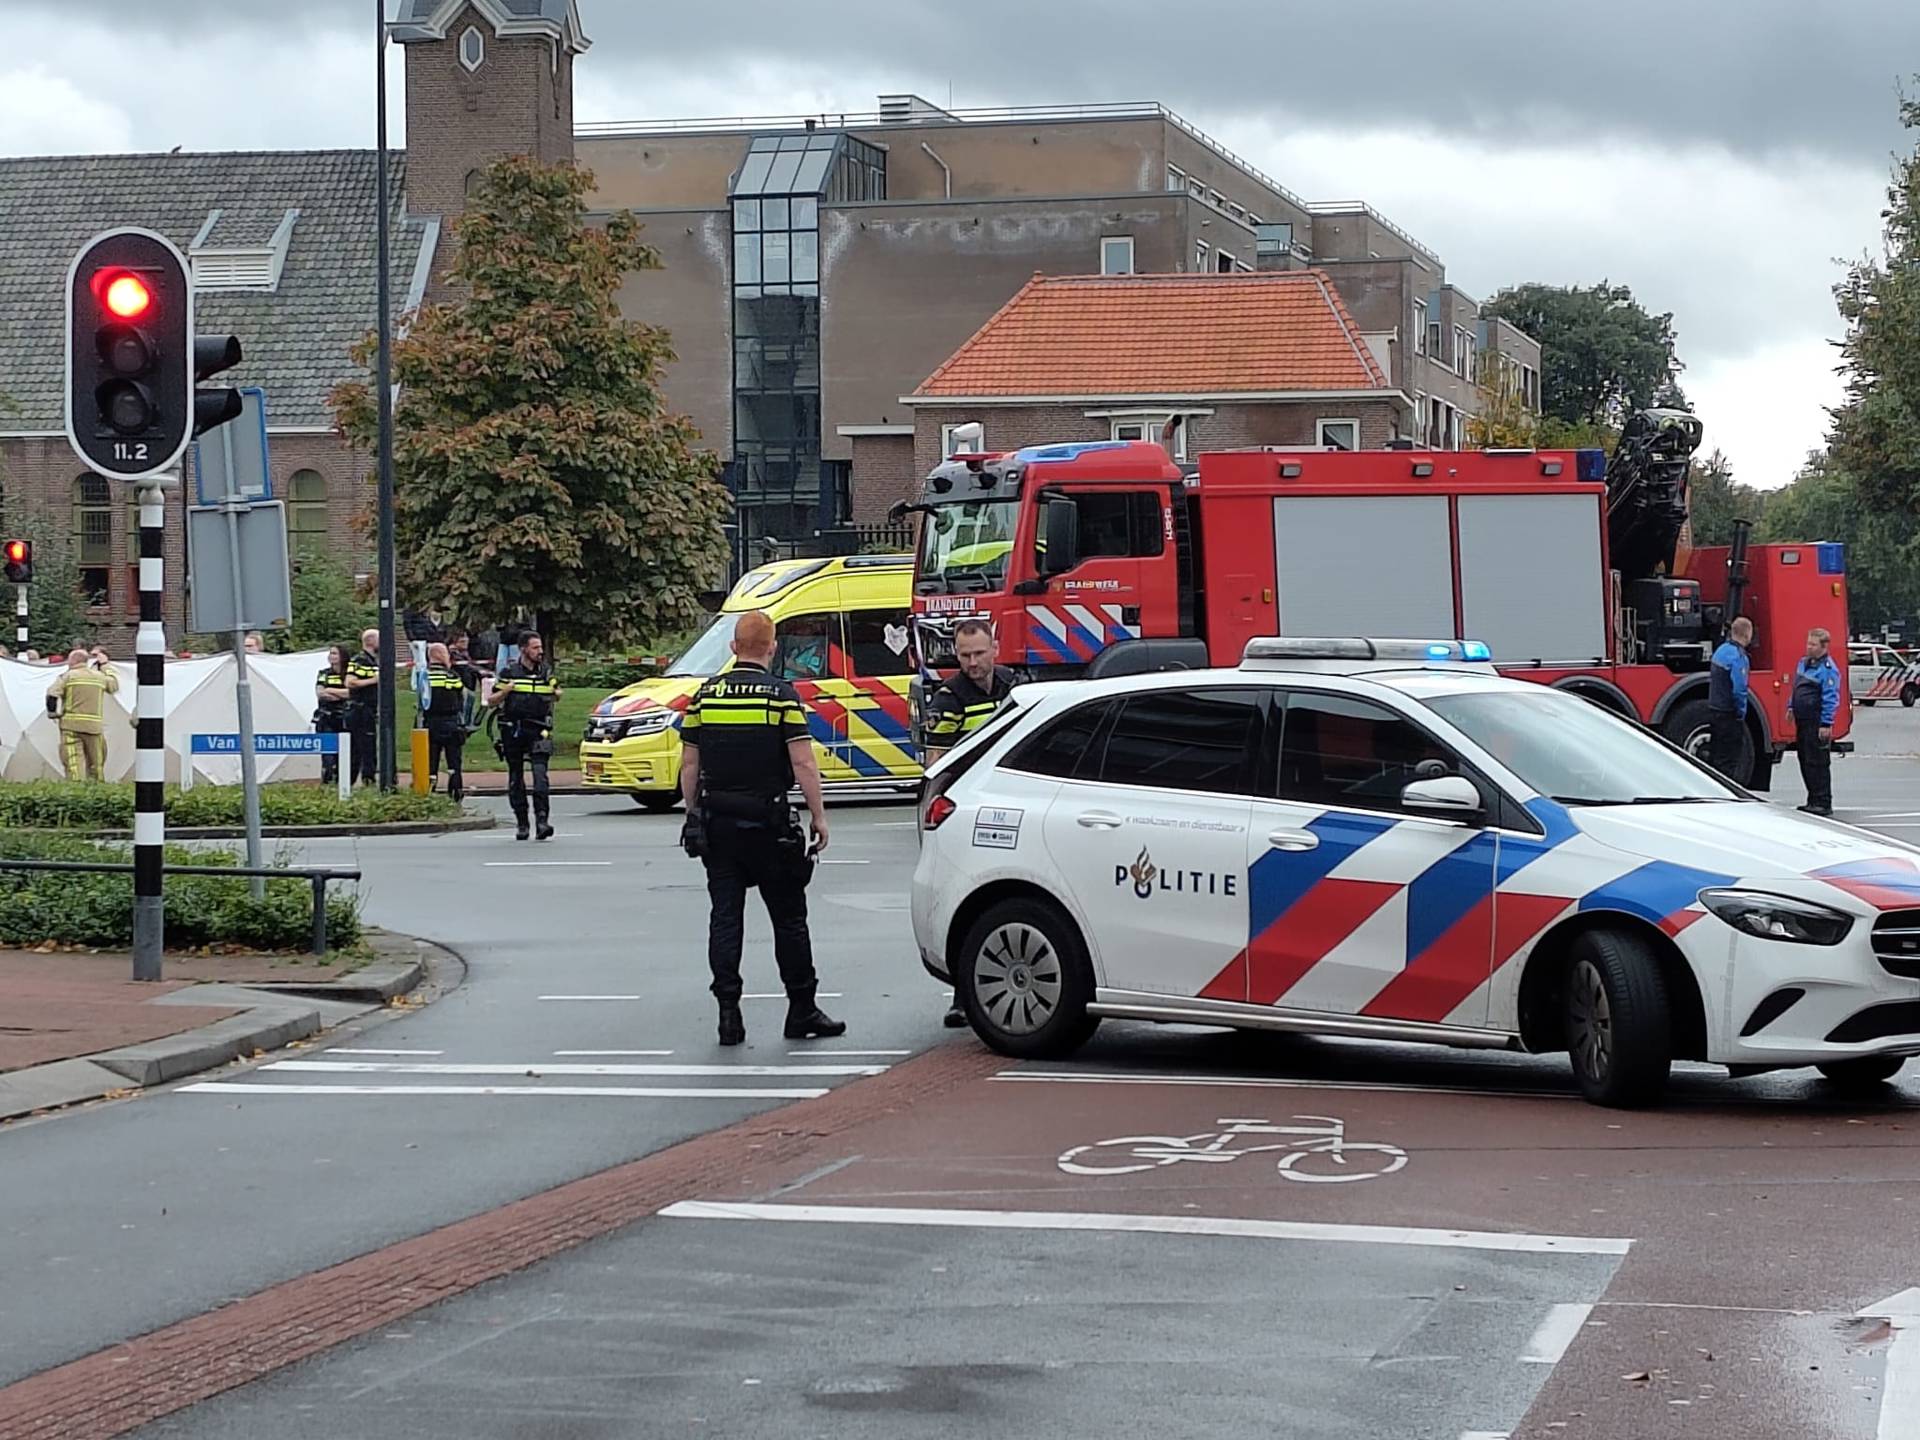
(297, 339)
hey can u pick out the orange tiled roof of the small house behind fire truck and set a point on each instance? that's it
(1164, 335)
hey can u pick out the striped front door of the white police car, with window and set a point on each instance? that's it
(1355, 905)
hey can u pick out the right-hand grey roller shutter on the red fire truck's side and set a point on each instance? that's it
(1531, 579)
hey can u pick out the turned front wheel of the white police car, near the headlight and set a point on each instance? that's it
(1620, 1020)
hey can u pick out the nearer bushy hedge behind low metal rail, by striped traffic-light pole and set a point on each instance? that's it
(203, 911)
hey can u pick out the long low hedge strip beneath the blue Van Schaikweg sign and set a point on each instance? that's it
(80, 805)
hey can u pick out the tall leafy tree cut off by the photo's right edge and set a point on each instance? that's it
(1877, 433)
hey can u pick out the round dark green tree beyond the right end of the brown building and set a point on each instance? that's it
(1604, 354)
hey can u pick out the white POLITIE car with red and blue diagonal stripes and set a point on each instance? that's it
(1389, 840)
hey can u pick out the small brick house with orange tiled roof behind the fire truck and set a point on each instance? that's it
(1243, 360)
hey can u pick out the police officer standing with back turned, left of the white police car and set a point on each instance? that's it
(746, 746)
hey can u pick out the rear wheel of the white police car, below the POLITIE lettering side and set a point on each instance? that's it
(1024, 980)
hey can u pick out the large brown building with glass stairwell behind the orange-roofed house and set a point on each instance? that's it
(821, 268)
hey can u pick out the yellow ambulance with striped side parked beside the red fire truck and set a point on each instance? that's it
(842, 629)
